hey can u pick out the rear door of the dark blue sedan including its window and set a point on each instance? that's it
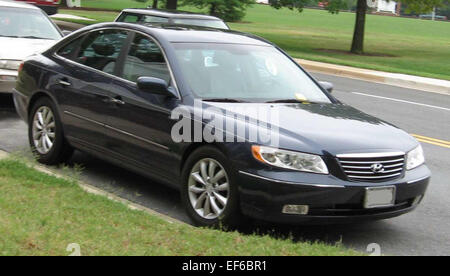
(85, 84)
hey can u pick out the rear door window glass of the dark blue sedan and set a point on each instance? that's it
(100, 50)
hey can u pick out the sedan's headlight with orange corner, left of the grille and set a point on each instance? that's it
(290, 159)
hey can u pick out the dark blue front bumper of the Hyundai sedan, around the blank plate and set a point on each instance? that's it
(335, 201)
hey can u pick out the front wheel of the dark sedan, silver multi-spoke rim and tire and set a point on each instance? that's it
(230, 215)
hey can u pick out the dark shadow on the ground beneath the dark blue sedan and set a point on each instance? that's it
(166, 200)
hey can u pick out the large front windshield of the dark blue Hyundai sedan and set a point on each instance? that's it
(245, 73)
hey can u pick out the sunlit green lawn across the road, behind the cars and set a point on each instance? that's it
(403, 45)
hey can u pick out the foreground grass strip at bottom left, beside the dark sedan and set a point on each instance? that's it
(42, 215)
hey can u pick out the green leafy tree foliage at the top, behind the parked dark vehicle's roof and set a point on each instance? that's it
(228, 10)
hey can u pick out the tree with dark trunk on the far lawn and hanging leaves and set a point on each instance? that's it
(419, 6)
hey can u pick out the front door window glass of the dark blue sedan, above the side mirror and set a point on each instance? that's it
(145, 59)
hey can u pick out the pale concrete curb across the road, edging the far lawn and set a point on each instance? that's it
(394, 79)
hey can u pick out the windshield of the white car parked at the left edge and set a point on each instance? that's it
(26, 23)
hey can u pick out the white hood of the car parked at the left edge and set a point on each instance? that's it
(21, 48)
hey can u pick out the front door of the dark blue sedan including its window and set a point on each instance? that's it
(139, 126)
